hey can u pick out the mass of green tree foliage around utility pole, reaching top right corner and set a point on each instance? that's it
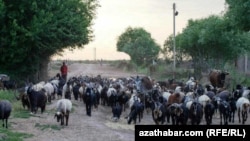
(215, 40)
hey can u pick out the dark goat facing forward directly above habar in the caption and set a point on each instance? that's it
(158, 113)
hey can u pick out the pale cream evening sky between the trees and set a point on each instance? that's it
(113, 17)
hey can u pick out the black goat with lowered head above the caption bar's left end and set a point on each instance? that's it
(136, 111)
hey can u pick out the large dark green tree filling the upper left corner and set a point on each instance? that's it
(33, 31)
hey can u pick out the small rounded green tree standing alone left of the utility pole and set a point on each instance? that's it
(139, 45)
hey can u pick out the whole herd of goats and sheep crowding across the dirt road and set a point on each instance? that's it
(173, 102)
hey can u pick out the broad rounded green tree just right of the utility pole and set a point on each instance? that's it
(210, 42)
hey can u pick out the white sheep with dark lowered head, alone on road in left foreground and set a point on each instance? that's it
(63, 109)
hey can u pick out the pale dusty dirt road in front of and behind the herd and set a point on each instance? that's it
(98, 127)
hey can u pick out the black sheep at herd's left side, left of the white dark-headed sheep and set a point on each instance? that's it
(38, 99)
